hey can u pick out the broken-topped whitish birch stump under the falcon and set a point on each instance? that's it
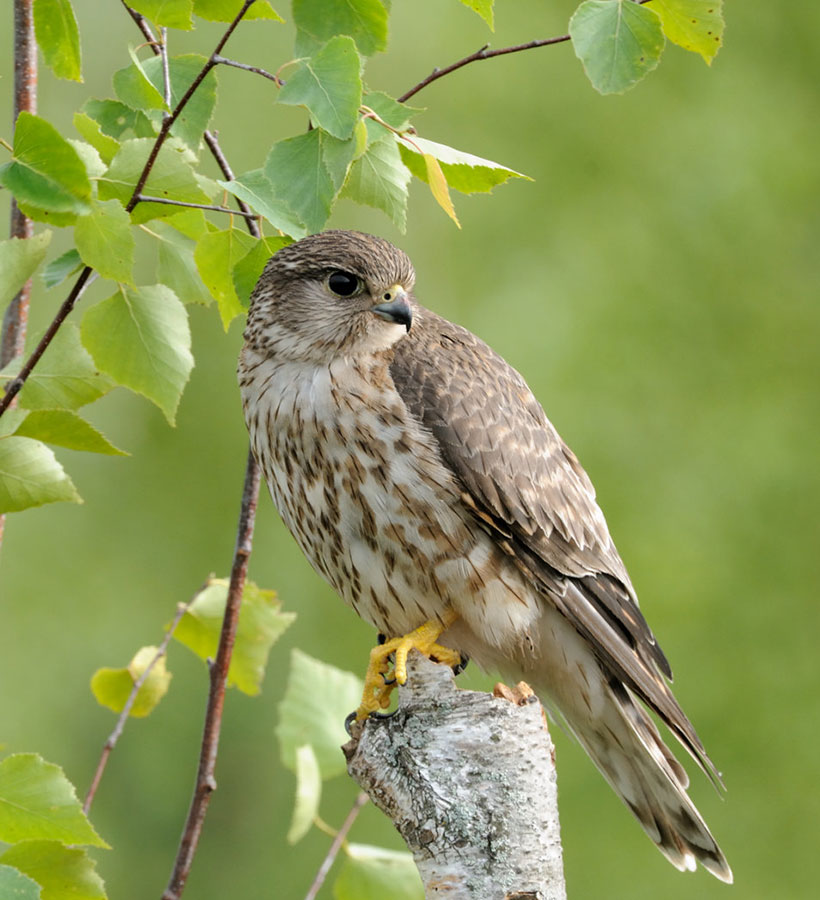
(468, 779)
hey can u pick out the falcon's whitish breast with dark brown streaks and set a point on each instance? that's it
(361, 486)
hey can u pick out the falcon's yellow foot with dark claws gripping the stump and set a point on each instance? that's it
(377, 688)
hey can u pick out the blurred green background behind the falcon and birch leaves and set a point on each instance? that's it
(657, 285)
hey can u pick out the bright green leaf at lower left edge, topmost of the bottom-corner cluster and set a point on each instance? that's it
(37, 802)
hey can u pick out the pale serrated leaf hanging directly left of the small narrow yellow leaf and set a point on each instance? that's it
(379, 178)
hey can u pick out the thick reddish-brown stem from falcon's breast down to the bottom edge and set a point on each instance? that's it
(205, 782)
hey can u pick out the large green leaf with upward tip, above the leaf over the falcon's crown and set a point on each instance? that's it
(329, 85)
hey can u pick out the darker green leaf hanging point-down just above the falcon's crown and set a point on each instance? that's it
(299, 177)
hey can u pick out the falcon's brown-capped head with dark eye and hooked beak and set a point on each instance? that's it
(331, 294)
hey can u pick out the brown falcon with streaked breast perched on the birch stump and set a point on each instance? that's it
(423, 480)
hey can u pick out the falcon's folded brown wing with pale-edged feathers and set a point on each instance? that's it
(527, 487)
